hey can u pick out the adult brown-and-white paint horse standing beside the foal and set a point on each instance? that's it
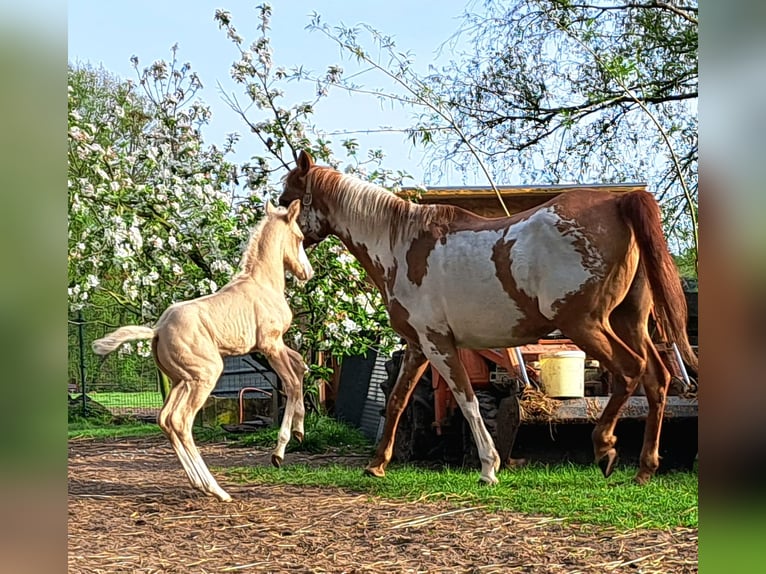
(591, 264)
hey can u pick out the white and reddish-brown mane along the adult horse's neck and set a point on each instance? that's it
(378, 208)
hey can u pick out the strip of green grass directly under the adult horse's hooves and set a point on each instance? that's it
(572, 493)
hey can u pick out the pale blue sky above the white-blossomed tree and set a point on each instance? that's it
(108, 33)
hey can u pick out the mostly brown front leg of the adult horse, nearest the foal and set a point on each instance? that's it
(413, 366)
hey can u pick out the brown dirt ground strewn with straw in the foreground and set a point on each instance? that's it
(131, 510)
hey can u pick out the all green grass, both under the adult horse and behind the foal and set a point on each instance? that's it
(567, 492)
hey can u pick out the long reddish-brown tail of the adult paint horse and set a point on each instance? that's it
(641, 211)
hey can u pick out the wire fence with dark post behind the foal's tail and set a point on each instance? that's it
(125, 383)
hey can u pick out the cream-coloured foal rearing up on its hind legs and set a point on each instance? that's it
(248, 314)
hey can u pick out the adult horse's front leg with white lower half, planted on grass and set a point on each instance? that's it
(445, 358)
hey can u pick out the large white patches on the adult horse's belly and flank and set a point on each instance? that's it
(461, 289)
